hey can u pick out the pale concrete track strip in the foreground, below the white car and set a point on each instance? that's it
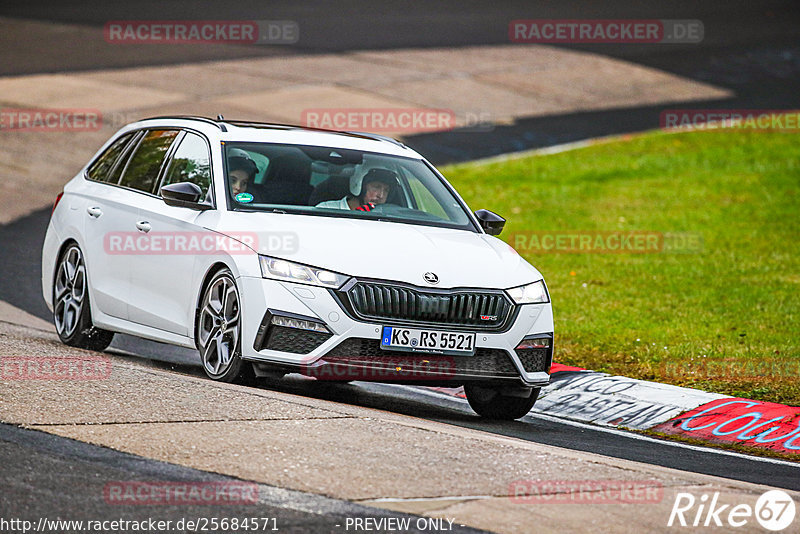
(338, 450)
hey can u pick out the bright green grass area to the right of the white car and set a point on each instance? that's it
(725, 319)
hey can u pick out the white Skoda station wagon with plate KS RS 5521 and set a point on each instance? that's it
(278, 249)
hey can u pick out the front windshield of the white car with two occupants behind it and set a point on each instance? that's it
(338, 182)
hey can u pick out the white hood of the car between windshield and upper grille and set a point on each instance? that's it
(384, 250)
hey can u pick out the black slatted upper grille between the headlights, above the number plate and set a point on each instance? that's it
(474, 309)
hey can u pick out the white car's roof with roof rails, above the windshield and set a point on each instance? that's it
(248, 131)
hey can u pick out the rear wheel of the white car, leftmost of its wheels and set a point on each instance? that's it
(72, 312)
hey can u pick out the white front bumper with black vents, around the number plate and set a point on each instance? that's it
(352, 349)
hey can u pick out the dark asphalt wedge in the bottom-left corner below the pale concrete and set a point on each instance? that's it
(46, 476)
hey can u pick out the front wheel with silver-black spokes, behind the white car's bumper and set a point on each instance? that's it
(218, 331)
